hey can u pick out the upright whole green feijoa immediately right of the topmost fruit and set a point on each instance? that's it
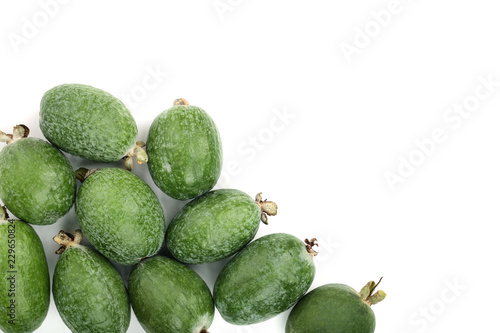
(185, 151)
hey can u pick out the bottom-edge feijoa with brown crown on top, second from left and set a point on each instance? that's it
(89, 293)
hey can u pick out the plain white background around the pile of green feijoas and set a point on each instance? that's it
(317, 103)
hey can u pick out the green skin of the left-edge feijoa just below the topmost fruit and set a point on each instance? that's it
(37, 183)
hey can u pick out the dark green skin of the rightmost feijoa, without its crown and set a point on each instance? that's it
(331, 308)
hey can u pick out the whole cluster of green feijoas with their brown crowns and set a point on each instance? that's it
(121, 217)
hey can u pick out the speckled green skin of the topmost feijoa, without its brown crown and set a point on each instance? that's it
(87, 122)
